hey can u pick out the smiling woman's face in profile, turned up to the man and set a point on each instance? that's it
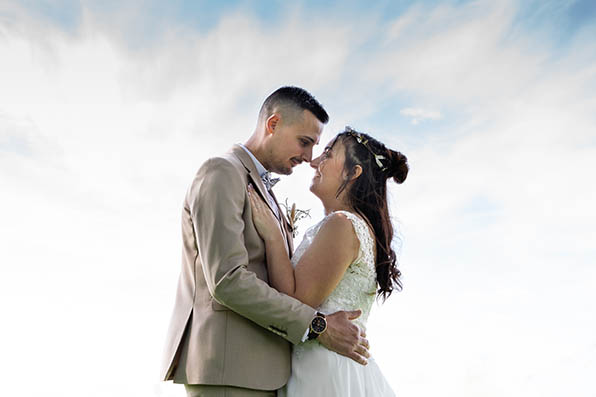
(329, 171)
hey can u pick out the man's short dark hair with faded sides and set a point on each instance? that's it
(295, 97)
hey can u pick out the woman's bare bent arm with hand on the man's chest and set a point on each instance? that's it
(320, 268)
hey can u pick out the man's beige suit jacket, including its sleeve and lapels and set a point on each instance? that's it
(229, 327)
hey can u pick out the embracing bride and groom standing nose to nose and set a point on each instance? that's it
(253, 316)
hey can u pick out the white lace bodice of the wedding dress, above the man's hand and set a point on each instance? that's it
(356, 290)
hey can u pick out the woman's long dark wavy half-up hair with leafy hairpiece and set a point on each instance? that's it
(367, 194)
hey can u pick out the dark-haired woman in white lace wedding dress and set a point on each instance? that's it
(343, 262)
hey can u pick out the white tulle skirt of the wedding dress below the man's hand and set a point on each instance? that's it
(317, 371)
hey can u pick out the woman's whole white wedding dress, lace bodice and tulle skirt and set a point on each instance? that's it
(317, 371)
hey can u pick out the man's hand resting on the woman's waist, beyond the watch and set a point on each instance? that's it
(344, 337)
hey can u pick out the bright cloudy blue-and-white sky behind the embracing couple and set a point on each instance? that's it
(107, 109)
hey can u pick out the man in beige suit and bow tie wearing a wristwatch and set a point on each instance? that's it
(230, 330)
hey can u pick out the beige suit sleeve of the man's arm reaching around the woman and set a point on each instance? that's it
(216, 200)
